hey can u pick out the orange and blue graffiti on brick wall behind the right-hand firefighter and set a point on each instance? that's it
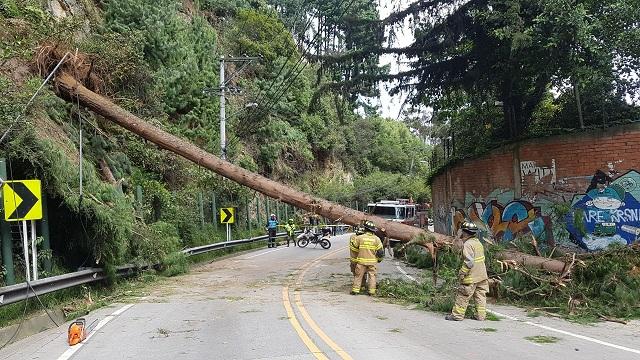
(505, 222)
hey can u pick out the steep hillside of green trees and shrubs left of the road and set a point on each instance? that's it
(160, 60)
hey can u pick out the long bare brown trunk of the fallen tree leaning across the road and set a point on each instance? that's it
(73, 90)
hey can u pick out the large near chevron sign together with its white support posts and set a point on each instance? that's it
(22, 202)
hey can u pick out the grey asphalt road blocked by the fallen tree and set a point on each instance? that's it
(292, 303)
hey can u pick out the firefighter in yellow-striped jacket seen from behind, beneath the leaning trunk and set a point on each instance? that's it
(366, 251)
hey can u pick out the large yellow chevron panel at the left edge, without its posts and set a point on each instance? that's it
(22, 200)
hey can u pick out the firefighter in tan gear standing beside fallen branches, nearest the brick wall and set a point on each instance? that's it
(473, 276)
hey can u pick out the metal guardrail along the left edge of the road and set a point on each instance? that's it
(18, 292)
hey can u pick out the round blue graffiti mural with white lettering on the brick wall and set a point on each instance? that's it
(609, 212)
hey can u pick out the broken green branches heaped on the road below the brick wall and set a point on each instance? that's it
(602, 286)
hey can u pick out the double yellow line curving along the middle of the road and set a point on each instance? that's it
(319, 354)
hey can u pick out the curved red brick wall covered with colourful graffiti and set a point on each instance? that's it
(514, 190)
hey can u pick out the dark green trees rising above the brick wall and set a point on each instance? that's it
(492, 72)
